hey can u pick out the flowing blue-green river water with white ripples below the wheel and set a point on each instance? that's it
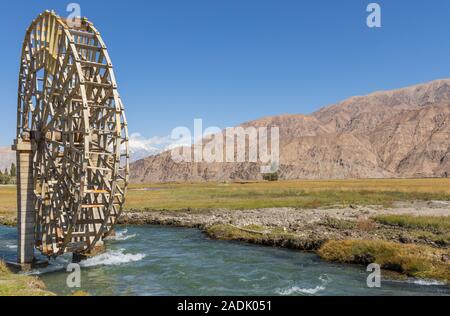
(154, 260)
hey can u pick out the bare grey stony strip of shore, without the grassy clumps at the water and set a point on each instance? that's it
(310, 228)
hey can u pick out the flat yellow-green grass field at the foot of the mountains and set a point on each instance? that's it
(249, 195)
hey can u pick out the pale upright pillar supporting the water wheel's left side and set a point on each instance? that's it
(25, 201)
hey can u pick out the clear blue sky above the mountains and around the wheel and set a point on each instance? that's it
(228, 61)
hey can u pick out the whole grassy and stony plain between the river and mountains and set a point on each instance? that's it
(348, 221)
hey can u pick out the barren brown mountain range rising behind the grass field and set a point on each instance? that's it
(399, 133)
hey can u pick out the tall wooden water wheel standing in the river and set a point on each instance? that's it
(70, 111)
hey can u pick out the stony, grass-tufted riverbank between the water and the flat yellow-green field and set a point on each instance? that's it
(412, 238)
